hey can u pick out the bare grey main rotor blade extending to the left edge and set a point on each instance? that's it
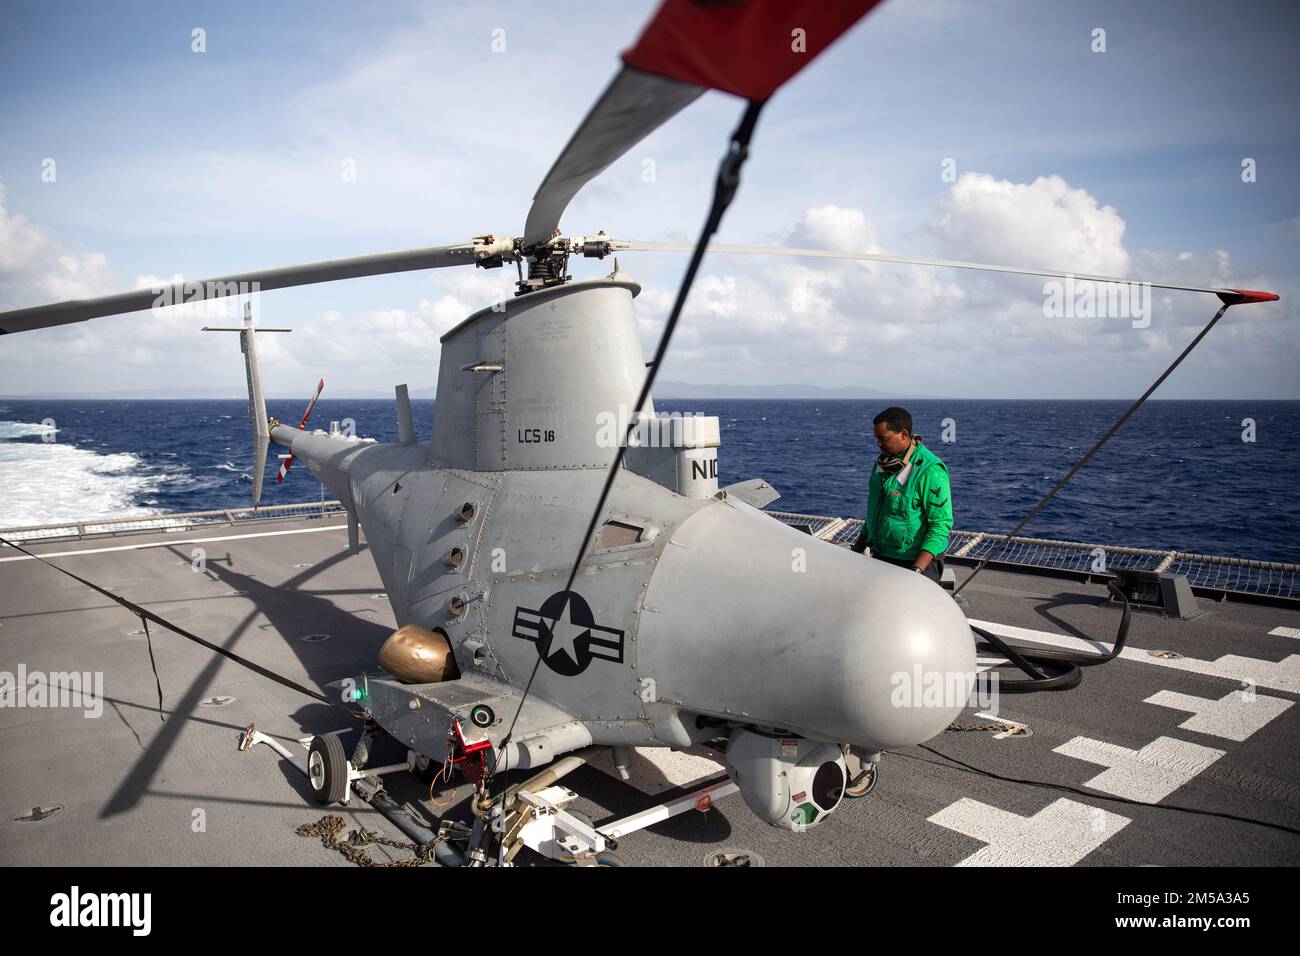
(240, 284)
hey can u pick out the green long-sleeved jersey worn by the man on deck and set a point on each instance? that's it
(918, 517)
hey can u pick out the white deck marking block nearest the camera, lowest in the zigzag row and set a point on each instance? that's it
(1060, 834)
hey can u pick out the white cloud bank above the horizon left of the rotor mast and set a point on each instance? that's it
(370, 349)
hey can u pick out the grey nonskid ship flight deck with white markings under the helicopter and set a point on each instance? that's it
(1211, 730)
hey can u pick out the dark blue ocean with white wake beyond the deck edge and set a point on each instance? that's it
(1177, 477)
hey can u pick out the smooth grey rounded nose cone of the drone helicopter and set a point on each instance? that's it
(755, 622)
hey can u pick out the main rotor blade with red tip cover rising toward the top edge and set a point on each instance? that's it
(747, 47)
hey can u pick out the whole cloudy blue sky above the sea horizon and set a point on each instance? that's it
(174, 162)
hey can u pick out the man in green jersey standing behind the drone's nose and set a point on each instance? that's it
(909, 503)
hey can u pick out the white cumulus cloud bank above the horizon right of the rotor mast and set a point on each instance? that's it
(941, 331)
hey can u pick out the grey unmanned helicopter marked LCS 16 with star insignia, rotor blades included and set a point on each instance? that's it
(682, 622)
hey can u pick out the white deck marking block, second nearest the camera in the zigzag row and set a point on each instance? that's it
(1150, 775)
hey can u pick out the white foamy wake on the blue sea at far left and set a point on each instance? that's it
(42, 483)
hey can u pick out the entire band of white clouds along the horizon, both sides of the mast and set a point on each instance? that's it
(748, 319)
